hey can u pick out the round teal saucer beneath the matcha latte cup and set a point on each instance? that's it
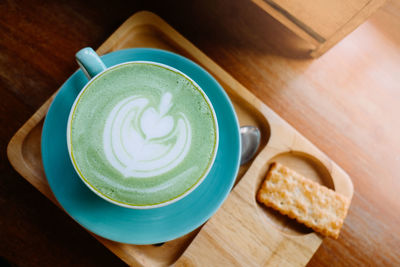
(140, 226)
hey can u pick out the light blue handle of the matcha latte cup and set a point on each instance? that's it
(89, 62)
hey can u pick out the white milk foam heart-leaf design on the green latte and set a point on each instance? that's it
(143, 141)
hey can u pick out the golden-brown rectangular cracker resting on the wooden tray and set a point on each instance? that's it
(310, 203)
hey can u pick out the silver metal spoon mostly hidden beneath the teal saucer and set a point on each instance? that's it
(250, 136)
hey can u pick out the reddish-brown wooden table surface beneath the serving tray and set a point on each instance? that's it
(347, 103)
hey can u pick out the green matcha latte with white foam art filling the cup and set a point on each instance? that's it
(141, 134)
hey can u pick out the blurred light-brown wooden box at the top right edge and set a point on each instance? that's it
(320, 22)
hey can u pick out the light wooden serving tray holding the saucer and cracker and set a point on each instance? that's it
(242, 232)
